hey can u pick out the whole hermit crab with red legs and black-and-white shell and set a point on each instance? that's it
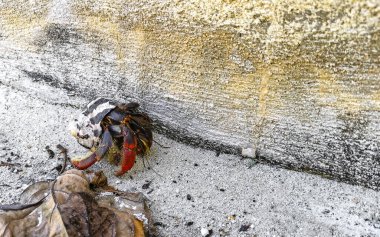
(119, 130)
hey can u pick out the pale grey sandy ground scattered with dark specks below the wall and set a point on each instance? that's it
(188, 188)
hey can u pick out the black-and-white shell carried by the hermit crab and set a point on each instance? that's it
(86, 129)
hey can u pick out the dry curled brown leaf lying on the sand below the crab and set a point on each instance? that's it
(77, 203)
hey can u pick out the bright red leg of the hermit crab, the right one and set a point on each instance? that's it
(129, 150)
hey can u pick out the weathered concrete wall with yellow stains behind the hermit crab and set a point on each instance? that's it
(295, 81)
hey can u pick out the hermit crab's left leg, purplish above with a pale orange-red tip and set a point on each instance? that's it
(87, 161)
